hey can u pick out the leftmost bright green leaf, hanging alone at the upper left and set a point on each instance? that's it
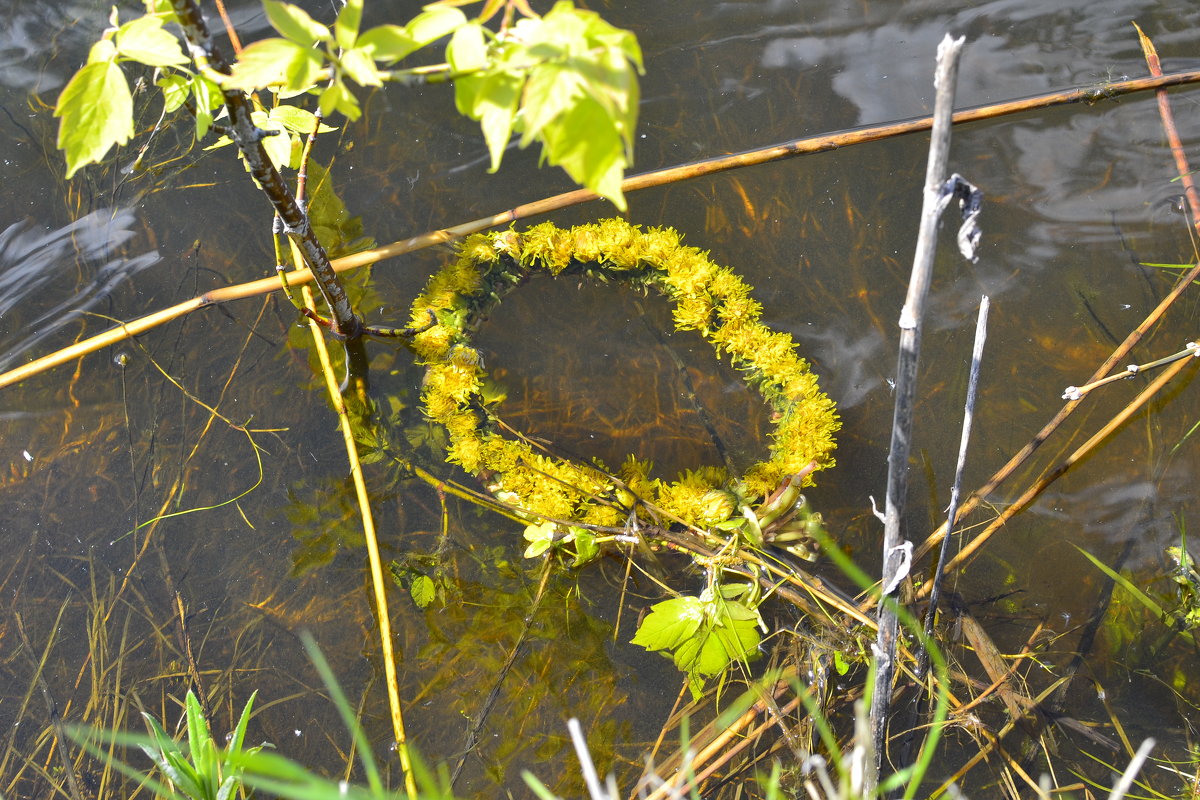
(97, 112)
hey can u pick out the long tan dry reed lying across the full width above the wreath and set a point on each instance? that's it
(802, 147)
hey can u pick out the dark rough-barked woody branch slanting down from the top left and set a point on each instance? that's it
(249, 139)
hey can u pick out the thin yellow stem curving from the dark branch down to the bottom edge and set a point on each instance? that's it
(376, 562)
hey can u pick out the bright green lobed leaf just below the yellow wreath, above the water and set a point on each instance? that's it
(704, 635)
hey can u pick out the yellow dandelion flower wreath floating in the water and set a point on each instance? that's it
(710, 299)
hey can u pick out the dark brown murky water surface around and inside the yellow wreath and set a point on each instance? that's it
(1077, 200)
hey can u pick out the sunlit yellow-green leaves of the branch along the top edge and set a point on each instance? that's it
(568, 81)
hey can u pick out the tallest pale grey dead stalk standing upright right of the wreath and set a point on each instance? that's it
(895, 564)
